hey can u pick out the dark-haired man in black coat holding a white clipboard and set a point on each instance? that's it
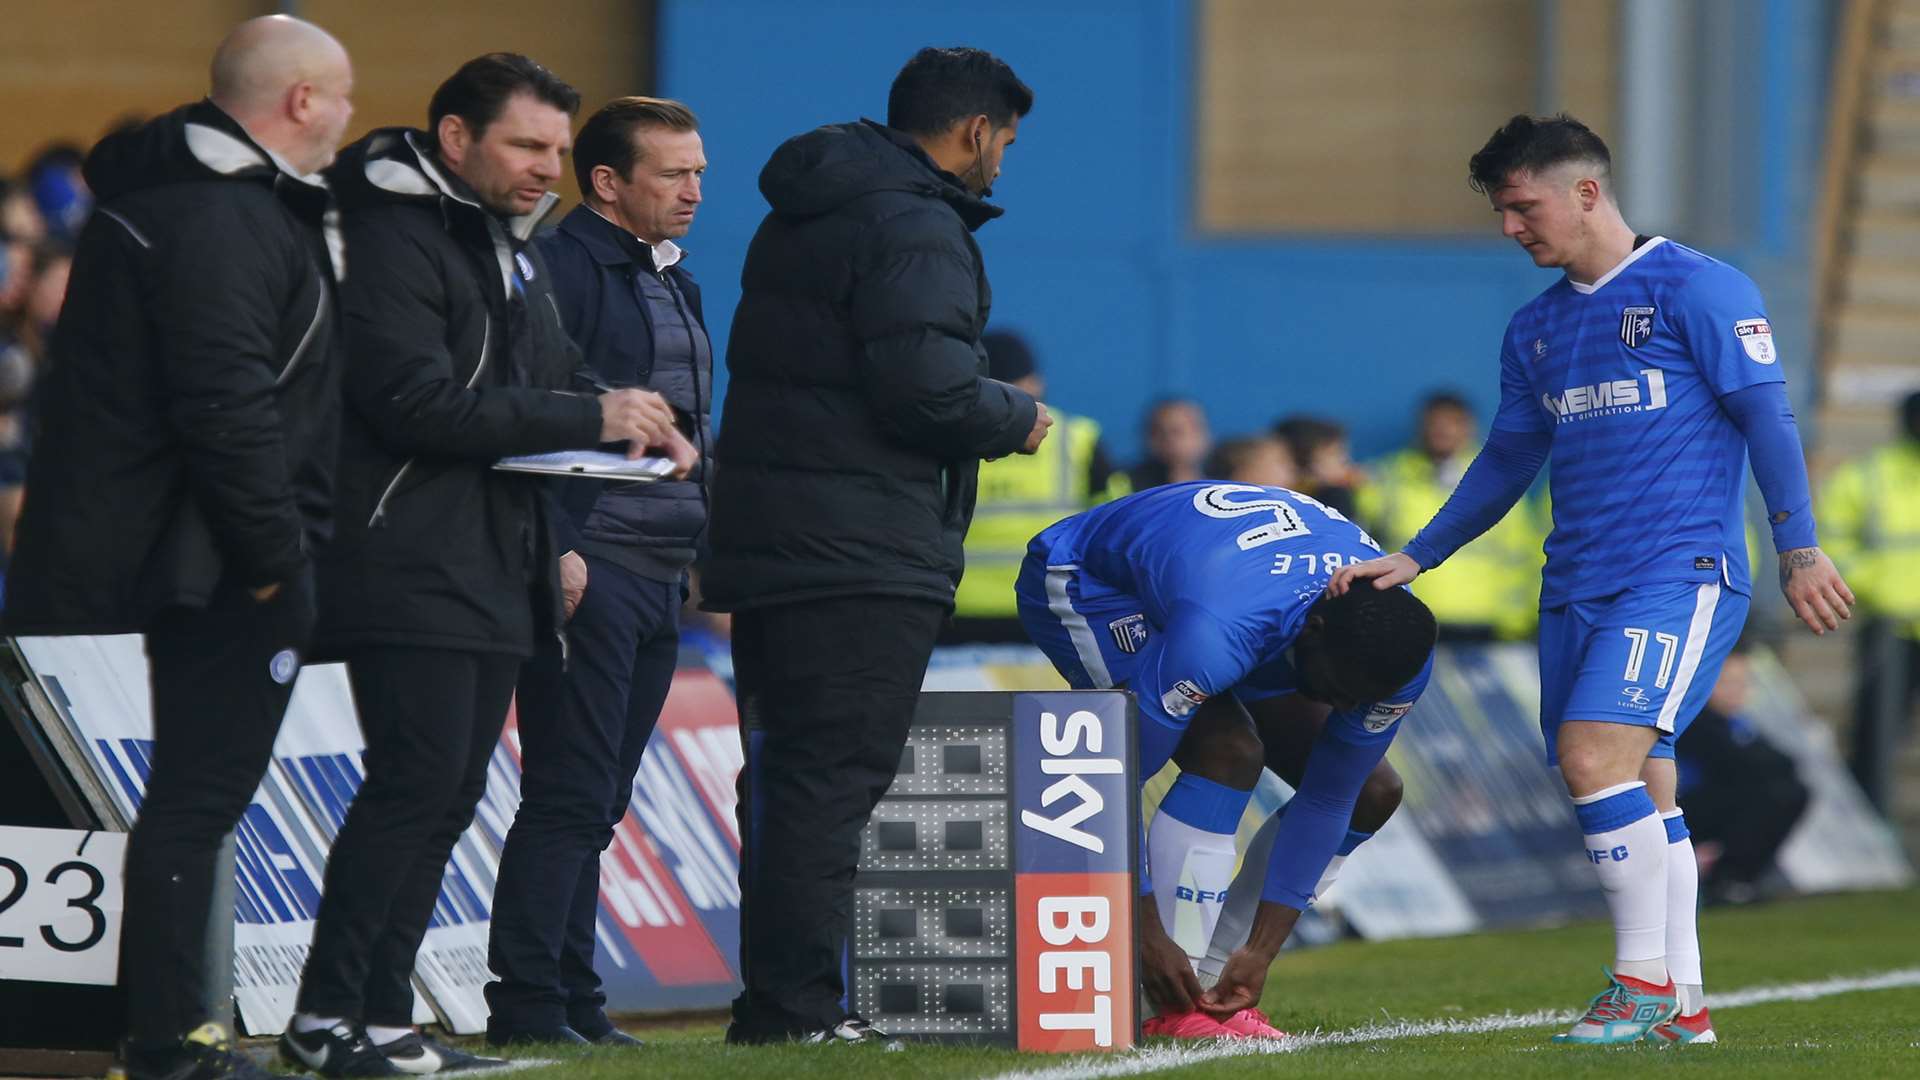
(443, 576)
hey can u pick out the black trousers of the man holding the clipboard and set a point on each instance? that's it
(431, 720)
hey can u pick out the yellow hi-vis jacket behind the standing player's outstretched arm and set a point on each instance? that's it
(1489, 583)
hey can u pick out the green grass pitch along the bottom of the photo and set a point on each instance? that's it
(1867, 1033)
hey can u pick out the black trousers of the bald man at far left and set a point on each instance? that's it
(222, 679)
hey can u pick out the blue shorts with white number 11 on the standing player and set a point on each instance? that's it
(1644, 656)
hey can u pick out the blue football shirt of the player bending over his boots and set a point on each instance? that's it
(1226, 577)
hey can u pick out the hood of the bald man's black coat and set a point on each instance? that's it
(193, 143)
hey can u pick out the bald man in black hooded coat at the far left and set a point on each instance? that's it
(181, 474)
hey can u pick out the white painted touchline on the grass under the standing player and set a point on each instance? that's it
(1164, 1058)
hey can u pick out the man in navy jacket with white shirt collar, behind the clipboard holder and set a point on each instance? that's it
(627, 299)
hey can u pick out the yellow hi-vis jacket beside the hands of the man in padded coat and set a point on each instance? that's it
(1019, 497)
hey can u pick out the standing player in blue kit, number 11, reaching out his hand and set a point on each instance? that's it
(1646, 378)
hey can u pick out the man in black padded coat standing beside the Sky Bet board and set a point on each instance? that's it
(853, 431)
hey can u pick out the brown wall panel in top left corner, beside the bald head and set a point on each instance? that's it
(70, 70)
